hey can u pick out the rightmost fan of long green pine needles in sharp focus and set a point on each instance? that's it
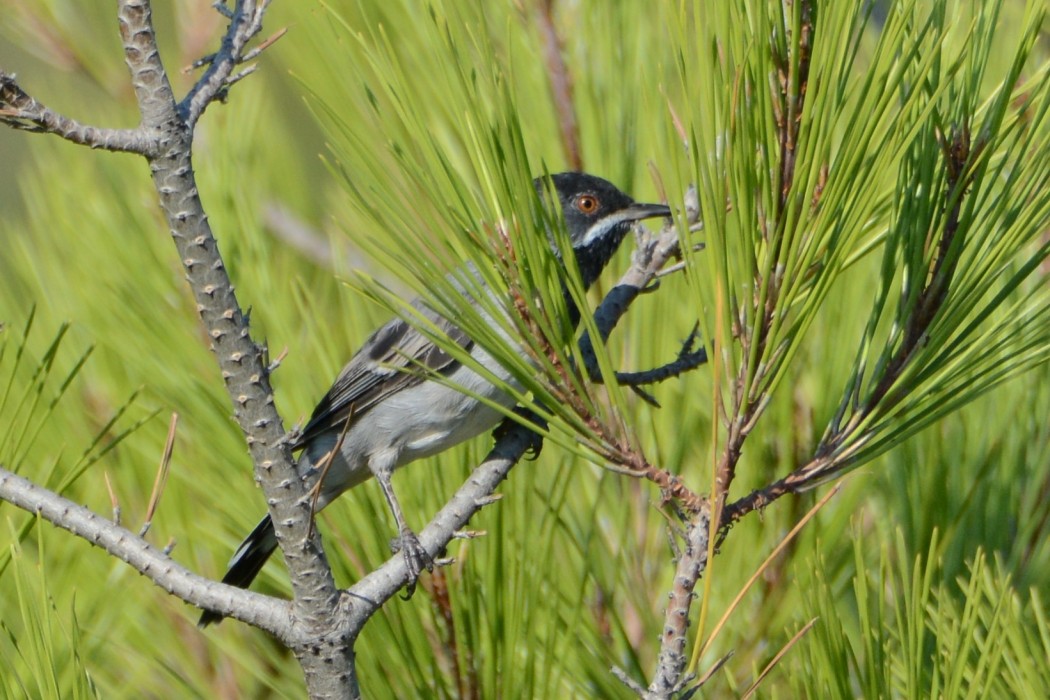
(994, 320)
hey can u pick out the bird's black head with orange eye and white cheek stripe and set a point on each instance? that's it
(598, 217)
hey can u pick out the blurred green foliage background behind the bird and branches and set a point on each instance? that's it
(574, 572)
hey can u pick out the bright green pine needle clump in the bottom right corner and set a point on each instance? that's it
(917, 635)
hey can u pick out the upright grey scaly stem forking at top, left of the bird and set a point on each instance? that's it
(241, 360)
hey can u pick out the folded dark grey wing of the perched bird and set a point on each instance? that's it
(394, 358)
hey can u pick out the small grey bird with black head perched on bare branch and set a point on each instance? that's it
(382, 413)
